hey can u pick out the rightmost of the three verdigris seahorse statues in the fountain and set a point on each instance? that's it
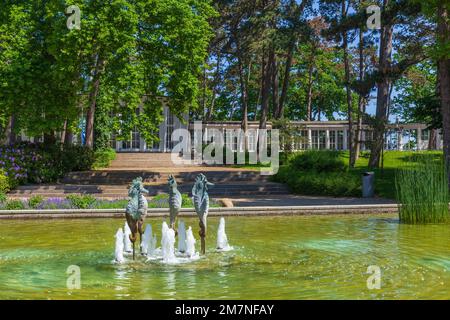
(200, 199)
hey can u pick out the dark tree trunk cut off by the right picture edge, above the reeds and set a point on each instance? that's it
(444, 81)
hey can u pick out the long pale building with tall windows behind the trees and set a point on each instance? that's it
(321, 135)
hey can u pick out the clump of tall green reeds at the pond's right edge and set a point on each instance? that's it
(422, 192)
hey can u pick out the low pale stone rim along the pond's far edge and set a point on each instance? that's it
(188, 212)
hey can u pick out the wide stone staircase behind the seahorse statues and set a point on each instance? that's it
(154, 168)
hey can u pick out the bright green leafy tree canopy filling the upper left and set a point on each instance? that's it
(131, 49)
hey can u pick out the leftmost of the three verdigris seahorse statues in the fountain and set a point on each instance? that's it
(136, 210)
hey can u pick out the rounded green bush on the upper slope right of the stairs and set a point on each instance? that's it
(318, 160)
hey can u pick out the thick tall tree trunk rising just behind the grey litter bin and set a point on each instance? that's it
(382, 94)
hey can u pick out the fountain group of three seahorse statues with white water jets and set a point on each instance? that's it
(136, 210)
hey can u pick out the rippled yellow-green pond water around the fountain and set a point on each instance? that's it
(273, 258)
